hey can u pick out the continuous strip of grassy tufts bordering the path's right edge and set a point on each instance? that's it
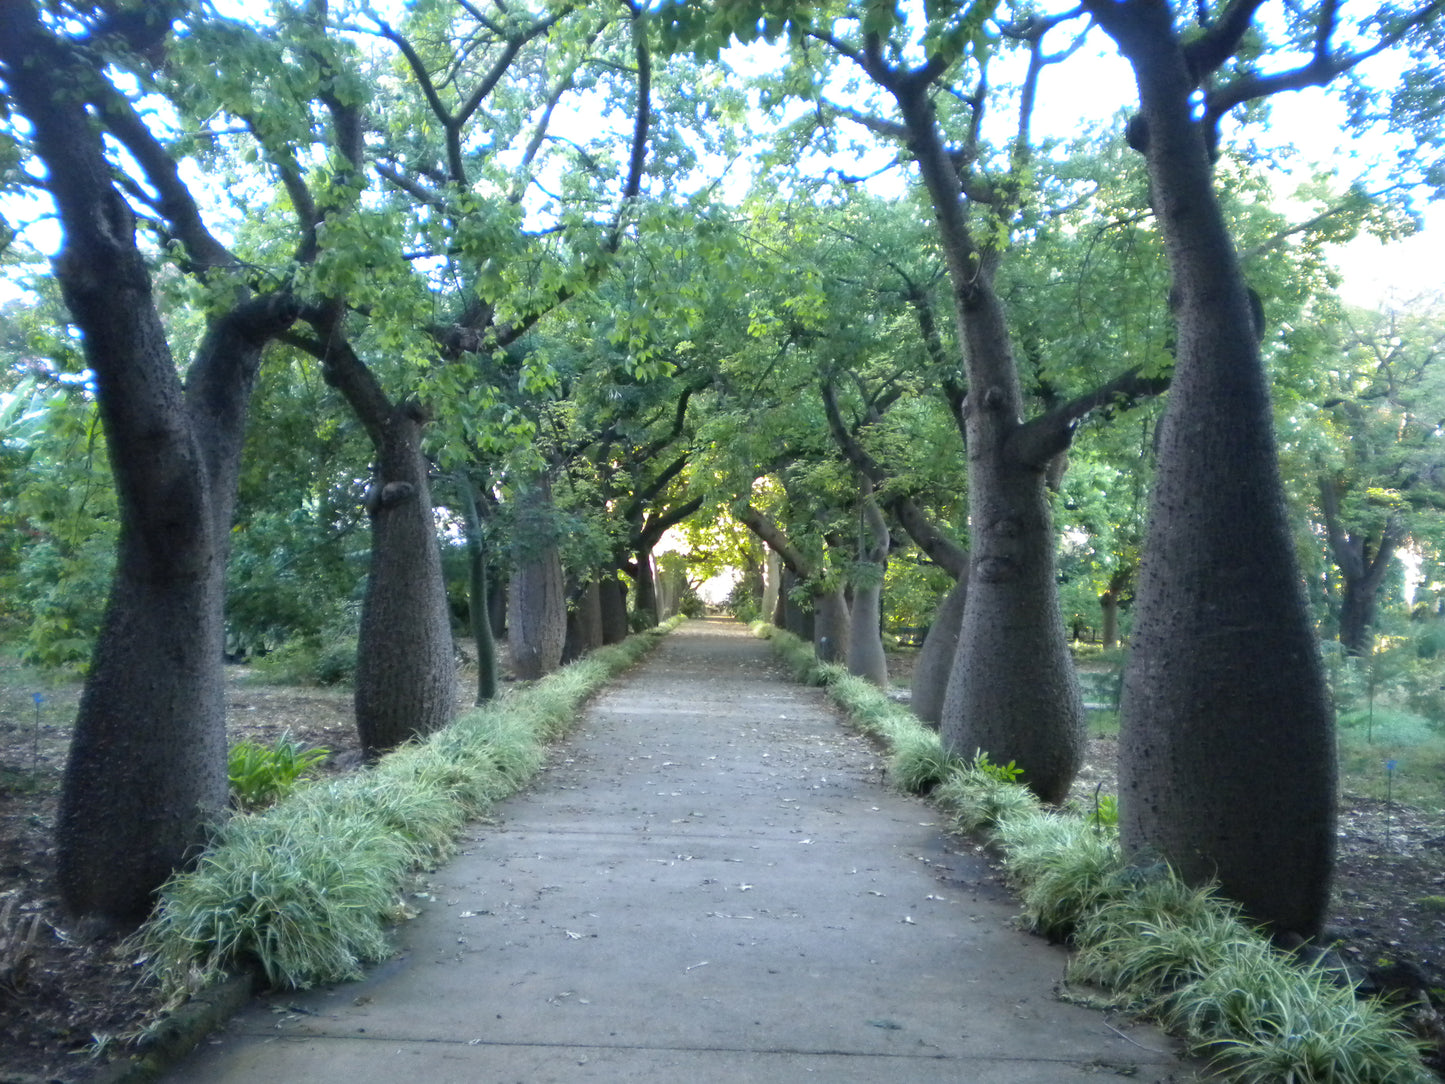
(1142, 939)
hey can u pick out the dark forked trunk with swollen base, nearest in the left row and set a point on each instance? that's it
(147, 771)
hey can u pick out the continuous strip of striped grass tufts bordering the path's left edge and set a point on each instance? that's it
(306, 891)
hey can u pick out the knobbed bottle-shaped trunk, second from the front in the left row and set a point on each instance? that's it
(407, 667)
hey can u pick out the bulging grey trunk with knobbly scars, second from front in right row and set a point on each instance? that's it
(1014, 692)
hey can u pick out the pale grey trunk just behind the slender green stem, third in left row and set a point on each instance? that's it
(538, 601)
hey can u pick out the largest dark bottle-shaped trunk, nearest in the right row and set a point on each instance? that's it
(1228, 758)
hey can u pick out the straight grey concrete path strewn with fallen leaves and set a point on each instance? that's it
(709, 884)
